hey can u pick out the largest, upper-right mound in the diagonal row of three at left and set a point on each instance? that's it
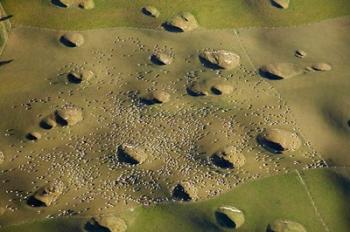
(69, 116)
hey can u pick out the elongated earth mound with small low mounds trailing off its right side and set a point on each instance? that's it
(279, 71)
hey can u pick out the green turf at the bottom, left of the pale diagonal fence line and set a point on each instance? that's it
(262, 202)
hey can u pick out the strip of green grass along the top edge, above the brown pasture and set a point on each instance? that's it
(210, 13)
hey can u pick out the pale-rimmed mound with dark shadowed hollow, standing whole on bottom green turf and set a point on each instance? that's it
(229, 217)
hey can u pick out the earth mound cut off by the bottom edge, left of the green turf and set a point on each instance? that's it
(105, 223)
